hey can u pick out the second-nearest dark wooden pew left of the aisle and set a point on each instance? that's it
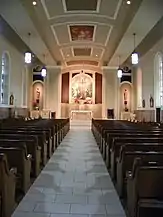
(19, 159)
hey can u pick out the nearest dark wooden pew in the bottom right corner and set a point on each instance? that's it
(144, 187)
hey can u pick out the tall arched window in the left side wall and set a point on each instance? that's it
(4, 82)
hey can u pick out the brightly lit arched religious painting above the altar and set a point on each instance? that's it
(82, 89)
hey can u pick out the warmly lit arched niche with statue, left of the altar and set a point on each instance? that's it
(37, 96)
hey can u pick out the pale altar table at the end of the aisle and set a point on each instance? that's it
(81, 115)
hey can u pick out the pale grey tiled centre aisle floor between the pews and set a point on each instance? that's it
(74, 183)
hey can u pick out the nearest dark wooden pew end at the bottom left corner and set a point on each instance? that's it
(7, 187)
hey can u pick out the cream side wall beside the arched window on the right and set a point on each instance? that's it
(147, 65)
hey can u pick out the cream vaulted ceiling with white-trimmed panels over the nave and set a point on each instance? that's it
(92, 32)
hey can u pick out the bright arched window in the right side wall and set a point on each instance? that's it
(158, 80)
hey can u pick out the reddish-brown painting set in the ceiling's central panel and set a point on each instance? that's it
(81, 32)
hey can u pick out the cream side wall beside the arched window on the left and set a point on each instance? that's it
(16, 68)
